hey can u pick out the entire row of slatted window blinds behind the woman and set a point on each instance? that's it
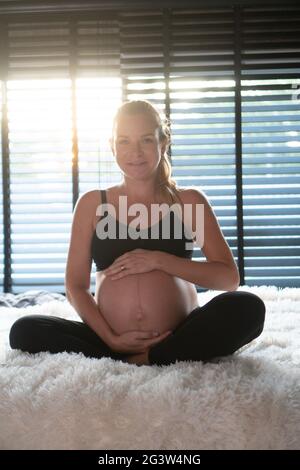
(228, 78)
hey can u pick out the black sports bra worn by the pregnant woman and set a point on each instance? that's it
(105, 250)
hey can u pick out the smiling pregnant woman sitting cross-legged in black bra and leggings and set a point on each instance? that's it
(141, 234)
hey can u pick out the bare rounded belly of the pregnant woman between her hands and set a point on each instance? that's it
(153, 301)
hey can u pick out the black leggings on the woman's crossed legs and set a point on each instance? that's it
(219, 328)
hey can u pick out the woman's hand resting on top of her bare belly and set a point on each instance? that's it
(133, 262)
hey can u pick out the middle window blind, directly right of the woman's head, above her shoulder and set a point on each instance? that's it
(191, 81)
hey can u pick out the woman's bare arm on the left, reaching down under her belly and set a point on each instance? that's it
(78, 268)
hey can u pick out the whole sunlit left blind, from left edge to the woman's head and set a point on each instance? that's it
(40, 126)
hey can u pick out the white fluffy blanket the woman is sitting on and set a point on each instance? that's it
(250, 400)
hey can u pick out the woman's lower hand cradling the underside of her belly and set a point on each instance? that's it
(134, 342)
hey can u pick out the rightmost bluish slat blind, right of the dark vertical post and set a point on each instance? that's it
(271, 145)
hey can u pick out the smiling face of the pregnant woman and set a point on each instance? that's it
(136, 146)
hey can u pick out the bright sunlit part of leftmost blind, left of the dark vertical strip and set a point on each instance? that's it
(41, 181)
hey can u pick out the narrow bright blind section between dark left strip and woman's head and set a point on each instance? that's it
(98, 93)
